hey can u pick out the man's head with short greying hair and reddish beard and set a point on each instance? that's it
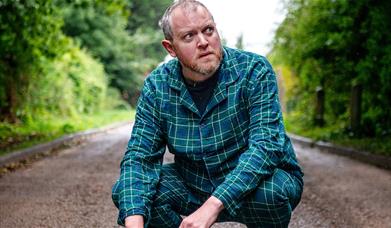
(191, 36)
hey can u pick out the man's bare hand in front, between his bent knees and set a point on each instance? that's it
(205, 216)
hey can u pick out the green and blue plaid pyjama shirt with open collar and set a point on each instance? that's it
(226, 151)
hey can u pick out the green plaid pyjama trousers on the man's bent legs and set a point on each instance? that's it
(269, 205)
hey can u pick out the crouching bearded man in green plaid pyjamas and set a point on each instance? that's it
(217, 111)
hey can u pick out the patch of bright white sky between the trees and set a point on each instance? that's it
(255, 19)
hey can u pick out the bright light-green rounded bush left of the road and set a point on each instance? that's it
(70, 85)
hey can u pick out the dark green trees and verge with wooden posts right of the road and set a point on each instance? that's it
(334, 57)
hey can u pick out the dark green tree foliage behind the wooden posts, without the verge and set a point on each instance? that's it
(337, 44)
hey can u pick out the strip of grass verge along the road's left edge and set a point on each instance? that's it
(23, 135)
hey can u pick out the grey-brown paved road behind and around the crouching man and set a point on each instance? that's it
(72, 189)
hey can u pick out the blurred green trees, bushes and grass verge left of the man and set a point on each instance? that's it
(67, 66)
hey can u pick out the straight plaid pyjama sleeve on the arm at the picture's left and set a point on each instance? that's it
(140, 167)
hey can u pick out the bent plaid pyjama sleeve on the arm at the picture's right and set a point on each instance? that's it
(262, 156)
